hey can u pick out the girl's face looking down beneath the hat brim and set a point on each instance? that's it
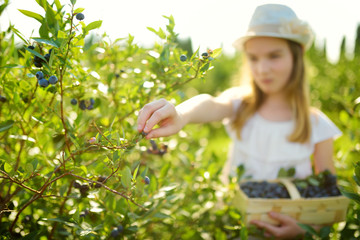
(271, 63)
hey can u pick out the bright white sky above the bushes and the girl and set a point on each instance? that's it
(209, 23)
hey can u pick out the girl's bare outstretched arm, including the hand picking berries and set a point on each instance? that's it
(199, 109)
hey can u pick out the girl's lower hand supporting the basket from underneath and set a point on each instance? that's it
(287, 229)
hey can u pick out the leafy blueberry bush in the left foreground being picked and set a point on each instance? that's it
(72, 163)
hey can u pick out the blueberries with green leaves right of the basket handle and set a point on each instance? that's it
(317, 186)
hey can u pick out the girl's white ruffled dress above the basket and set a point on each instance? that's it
(263, 149)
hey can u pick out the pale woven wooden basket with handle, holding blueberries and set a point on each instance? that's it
(326, 210)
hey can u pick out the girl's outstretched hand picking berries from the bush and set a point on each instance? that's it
(164, 114)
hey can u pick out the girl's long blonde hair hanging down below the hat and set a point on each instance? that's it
(297, 92)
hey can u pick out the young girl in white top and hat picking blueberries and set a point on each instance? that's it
(272, 125)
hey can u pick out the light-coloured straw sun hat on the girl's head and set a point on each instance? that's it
(275, 20)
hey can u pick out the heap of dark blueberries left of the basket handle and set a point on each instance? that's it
(264, 189)
